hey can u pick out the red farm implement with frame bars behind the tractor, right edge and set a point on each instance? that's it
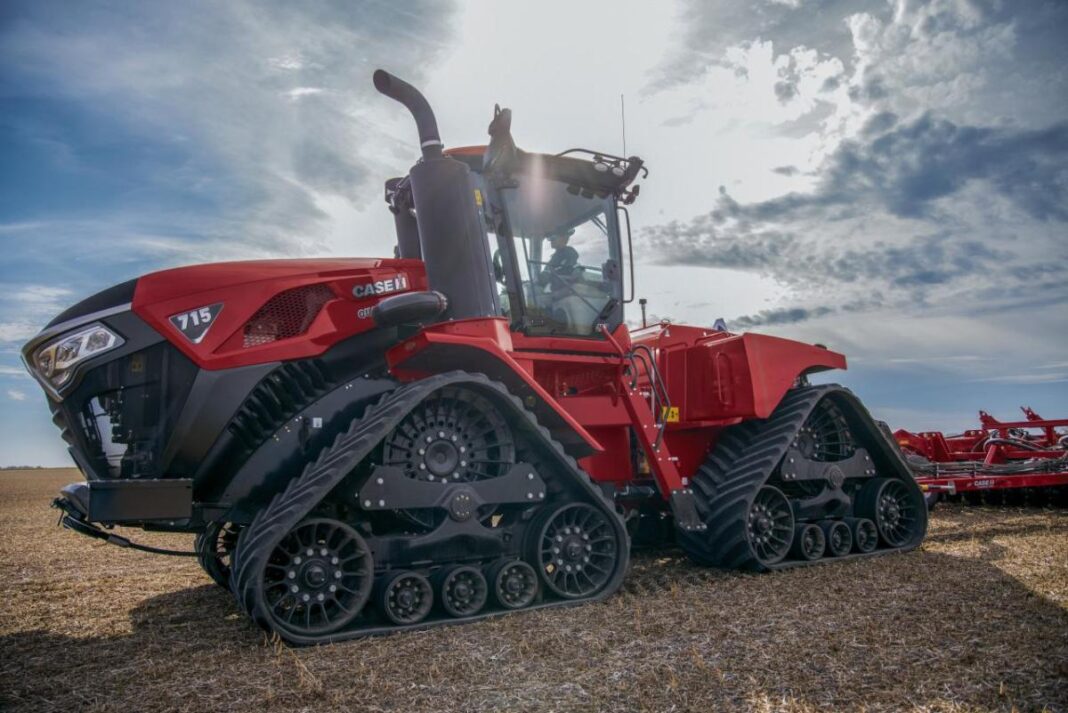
(972, 457)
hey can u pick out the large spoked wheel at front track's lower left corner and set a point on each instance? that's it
(319, 578)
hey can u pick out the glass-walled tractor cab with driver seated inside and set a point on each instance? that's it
(555, 227)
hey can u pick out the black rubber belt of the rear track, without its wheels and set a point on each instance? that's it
(742, 463)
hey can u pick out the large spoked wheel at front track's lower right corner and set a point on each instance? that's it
(577, 550)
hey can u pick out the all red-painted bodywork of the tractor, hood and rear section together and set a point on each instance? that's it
(578, 387)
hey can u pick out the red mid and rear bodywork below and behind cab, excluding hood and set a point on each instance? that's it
(717, 379)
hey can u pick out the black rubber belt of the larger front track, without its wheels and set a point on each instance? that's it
(335, 463)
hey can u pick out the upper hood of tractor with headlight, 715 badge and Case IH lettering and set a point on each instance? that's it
(224, 315)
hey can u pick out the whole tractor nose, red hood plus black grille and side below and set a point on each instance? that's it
(144, 378)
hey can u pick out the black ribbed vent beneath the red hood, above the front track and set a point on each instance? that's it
(284, 393)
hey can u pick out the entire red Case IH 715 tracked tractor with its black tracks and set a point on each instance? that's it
(469, 429)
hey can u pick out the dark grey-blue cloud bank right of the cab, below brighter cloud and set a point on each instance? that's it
(928, 215)
